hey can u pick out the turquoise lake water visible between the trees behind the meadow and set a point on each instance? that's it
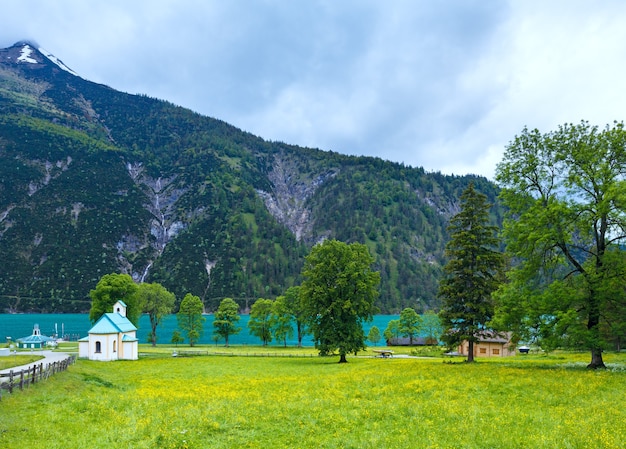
(75, 326)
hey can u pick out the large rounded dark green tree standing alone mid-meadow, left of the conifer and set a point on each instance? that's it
(338, 294)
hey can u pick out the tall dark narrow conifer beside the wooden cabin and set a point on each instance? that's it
(472, 273)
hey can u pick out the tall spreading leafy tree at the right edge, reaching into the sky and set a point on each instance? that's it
(566, 225)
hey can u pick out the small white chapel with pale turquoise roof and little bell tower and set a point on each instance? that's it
(113, 337)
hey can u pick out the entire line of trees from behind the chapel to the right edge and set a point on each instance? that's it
(553, 276)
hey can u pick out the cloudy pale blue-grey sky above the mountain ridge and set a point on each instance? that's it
(443, 85)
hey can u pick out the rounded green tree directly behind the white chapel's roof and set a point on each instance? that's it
(110, 289)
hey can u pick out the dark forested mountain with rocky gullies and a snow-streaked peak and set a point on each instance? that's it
(96, 181)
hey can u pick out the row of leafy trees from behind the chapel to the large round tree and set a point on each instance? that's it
(334, 316)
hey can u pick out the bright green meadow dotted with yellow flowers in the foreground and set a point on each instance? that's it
(280, 402)
